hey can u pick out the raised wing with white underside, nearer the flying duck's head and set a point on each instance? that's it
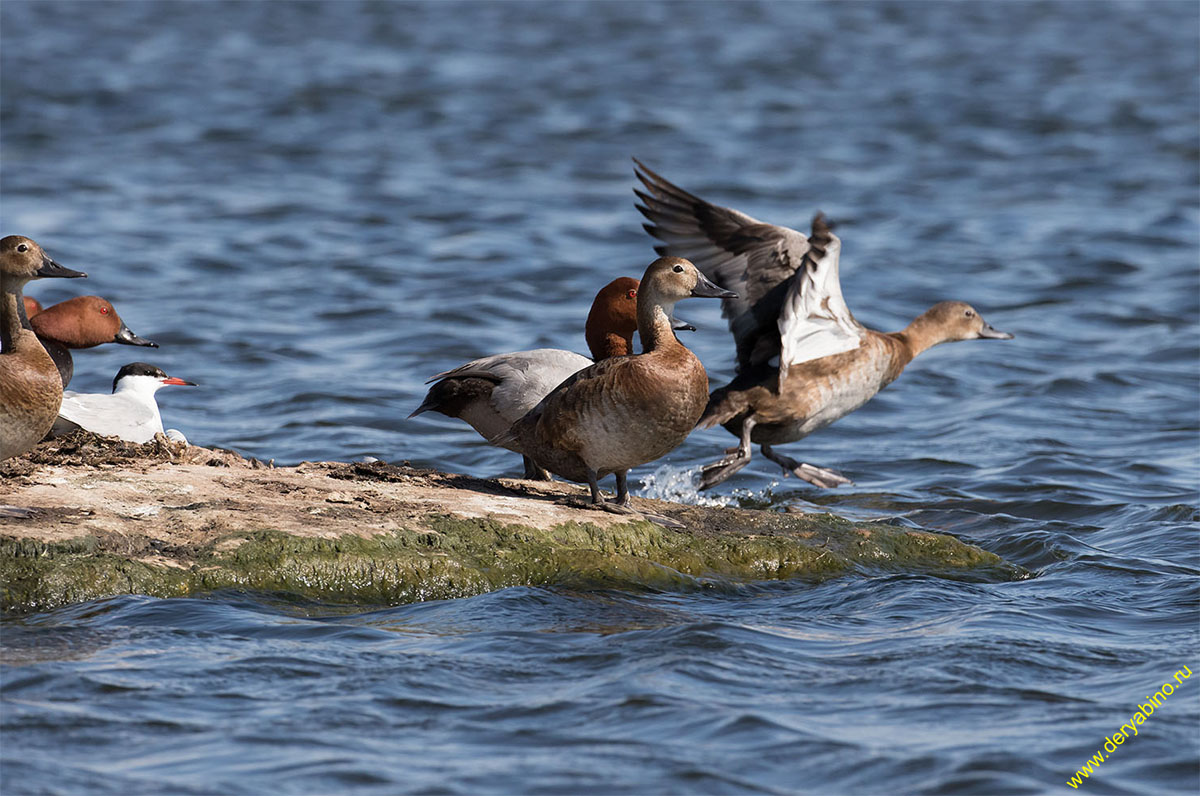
(814, 321)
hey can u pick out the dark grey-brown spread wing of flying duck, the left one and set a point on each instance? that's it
(755, 260)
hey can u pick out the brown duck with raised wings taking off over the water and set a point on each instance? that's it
(803, 362)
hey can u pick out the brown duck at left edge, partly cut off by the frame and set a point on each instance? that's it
(31, 388)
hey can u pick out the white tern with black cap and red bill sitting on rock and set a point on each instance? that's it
(130, 412)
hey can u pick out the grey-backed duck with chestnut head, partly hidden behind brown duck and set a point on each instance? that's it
(493, 393)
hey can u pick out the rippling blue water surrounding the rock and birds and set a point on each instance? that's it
(315, 207)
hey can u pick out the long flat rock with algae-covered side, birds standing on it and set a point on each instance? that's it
(100, 519)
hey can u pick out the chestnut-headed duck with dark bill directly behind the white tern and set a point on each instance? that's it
(82, 322)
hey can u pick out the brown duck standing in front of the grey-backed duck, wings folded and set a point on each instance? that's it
(625, 411)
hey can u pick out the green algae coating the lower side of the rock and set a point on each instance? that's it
(460, 558)
